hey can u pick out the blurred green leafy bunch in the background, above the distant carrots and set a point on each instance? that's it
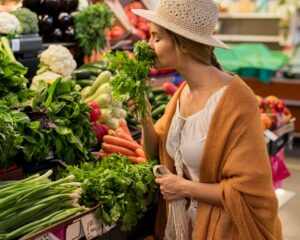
(90, 26)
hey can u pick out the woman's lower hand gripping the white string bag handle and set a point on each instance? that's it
(171, 186)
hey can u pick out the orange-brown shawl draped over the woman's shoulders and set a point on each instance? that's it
(235, 156)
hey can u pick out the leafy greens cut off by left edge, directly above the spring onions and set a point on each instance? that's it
(11, 137)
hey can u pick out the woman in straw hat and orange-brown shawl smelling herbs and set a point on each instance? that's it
(210, 137)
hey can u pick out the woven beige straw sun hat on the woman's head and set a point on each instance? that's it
(193, 19)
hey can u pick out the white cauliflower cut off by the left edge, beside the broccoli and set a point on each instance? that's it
(9, 24)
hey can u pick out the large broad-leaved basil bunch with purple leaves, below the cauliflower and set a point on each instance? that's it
(63, 124)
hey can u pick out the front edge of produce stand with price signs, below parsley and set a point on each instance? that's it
(86, 226)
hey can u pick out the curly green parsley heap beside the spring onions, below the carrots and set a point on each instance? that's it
(123, 190)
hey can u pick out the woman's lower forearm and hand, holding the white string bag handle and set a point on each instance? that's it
(174, 187)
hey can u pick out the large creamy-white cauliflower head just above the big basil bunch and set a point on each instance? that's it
(58, 59)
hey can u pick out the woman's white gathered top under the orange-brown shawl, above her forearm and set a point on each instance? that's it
(188, 135)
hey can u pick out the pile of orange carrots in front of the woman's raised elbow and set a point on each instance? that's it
(120, 141)
